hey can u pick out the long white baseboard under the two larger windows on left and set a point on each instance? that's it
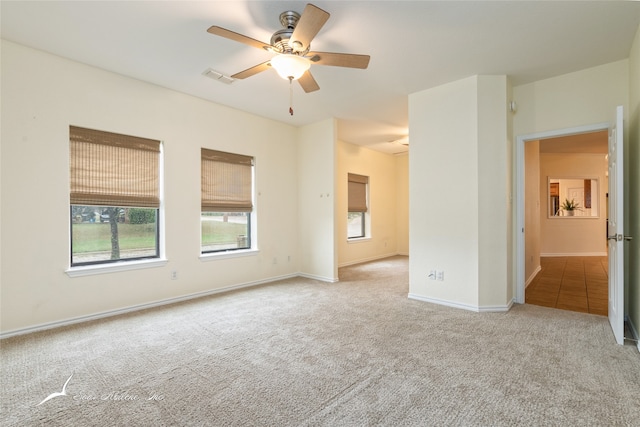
(138, 307)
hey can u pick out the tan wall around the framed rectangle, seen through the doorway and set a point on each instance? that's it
(579, 235)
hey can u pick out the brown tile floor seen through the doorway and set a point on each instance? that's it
(571, 283)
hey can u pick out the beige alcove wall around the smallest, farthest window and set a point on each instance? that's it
(386, 203)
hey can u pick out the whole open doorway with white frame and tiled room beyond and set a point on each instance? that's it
(562, 258)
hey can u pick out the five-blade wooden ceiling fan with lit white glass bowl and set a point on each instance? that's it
(292, 46)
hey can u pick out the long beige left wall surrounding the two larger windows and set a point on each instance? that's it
(37, 109)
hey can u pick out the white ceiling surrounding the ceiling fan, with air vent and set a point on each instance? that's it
(414, 45)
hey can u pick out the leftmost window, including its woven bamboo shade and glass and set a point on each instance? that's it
(114, 195)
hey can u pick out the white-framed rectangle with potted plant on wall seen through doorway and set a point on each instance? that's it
(573, 197)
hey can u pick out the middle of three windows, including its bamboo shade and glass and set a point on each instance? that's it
(227, 201)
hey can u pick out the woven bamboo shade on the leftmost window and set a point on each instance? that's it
(110, 169)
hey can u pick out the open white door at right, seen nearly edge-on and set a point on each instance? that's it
(615, 228)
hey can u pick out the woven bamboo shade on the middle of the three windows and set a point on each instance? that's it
(226, 182)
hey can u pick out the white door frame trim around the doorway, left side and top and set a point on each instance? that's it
(519, 172)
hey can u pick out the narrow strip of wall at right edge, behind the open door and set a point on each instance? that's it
(633, 187)
